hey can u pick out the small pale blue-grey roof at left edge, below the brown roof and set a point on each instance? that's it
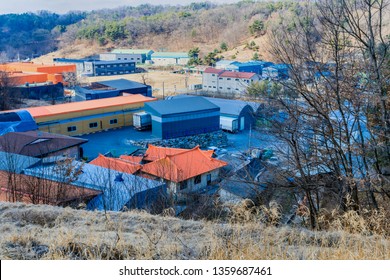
(15, 163)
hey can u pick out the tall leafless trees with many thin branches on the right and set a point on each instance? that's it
(330, 127)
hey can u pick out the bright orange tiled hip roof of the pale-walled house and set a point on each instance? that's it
(182, 166)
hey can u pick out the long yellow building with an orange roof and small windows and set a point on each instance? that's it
(85, 117)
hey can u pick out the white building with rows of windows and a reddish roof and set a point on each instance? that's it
(227, 81)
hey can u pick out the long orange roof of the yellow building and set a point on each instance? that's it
(66, 108)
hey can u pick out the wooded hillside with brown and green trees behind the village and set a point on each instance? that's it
(175, 28)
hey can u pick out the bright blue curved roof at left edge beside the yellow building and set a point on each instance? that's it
(18, 121)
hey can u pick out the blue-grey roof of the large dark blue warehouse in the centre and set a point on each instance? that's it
(180, 105)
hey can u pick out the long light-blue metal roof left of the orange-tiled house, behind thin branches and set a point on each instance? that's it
(117, 188)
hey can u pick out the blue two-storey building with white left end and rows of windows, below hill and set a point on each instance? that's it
(108, 68)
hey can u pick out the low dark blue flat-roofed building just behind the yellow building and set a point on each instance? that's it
(113, 88)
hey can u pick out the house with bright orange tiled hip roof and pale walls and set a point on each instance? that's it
(187, 170)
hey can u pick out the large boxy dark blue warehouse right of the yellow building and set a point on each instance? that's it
(183, 117)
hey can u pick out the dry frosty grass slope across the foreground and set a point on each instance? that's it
(45, 232)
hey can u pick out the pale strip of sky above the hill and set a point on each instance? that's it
(63, 6)
